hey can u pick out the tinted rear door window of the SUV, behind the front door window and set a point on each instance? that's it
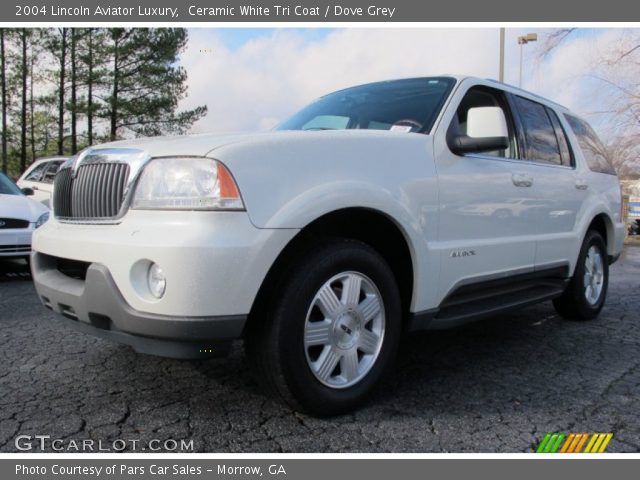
(539, 134)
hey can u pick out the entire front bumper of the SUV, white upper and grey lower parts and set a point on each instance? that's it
(214, 264)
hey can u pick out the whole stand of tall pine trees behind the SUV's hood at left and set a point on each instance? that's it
(63, 89)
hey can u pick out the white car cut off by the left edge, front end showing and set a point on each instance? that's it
(19, 217)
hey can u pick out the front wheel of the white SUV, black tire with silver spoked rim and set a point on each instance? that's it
(332, 332)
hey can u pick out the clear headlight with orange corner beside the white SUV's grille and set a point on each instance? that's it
(186, 184)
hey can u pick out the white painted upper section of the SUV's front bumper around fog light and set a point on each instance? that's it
(214, 262)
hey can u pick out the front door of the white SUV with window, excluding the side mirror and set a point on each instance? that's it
(488, 204)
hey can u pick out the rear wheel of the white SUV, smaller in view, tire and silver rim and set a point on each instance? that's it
(586, 293)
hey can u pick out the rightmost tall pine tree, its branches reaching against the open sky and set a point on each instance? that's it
(146, 84)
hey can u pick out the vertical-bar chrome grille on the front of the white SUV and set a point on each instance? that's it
(96, 192)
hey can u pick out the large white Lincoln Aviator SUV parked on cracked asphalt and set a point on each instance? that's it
(389, 207)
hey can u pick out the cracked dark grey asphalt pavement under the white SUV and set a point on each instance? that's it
(494, 386)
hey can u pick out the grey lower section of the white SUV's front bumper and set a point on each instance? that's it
(95, 306)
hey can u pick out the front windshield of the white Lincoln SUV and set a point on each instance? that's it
(410, 105)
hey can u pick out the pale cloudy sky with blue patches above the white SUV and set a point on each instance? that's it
(253, 78)
